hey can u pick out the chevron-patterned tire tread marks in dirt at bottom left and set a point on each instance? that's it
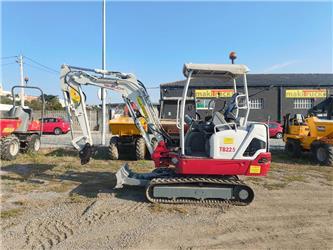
(49, 230)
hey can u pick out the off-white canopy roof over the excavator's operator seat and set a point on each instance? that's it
(228, 71)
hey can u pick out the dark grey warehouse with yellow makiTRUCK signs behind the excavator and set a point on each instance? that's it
(271, 95)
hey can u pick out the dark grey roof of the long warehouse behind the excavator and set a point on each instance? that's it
(286, 80)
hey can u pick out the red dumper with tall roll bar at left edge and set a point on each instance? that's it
(18, 129)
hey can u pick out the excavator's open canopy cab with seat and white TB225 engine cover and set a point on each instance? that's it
(227, 131)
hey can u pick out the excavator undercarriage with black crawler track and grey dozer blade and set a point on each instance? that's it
(165, 186)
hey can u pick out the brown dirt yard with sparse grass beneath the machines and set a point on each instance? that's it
(51, 201)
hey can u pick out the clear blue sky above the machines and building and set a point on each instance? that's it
(154, 39)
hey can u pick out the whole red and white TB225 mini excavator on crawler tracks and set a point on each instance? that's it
(205, 166)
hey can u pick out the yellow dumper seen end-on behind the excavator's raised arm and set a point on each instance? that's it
(126, 134)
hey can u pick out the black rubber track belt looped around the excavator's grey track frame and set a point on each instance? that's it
(194, 180)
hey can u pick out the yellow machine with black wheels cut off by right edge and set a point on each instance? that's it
(309, 134)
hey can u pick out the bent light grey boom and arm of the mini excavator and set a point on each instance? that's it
(132, 91)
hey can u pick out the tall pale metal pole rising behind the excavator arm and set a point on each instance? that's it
(103, 90)
